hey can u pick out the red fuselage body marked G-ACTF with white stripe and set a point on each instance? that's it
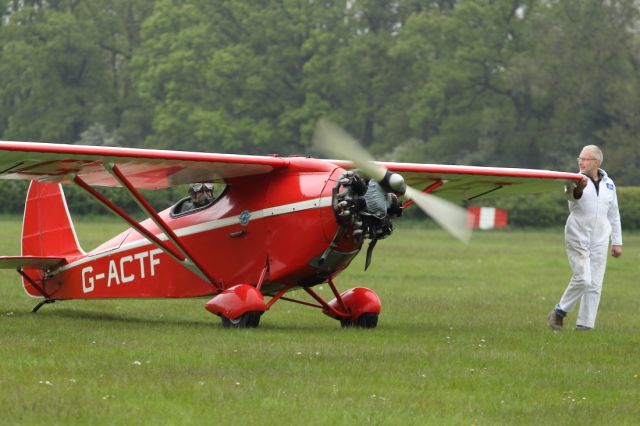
(282, 221)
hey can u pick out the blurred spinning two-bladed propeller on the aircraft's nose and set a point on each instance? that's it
(333, 141)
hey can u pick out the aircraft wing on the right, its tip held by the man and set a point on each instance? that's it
(466, 183)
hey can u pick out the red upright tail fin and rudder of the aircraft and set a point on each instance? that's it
(47, 229)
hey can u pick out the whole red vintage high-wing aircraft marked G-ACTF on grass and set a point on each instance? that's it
(281, 223)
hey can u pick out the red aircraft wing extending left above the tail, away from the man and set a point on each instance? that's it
(144, 168)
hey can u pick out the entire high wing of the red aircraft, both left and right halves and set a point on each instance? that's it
(155, 169)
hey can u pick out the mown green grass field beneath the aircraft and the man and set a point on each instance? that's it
(462, 339)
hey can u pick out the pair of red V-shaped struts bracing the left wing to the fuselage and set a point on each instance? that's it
(181, 255)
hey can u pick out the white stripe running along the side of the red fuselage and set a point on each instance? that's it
(207, 226)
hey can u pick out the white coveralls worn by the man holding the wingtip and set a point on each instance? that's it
(593, 220)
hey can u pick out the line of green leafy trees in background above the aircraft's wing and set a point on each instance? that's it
(519, 83)
